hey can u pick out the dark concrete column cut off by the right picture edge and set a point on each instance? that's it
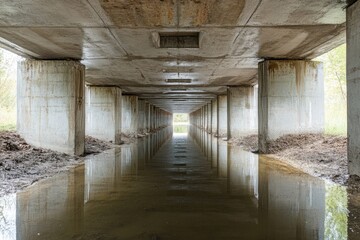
(353, 86)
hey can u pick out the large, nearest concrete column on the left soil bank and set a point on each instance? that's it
(51, 106)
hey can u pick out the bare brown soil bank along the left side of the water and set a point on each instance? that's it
(22, 164)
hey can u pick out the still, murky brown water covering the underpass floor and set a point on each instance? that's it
(179, 189)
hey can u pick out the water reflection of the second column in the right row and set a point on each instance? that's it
(243, 170)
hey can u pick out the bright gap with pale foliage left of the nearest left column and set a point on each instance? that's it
(8, 75)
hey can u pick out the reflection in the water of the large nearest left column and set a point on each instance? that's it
(46, 209)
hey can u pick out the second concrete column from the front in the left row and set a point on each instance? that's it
(103, 113)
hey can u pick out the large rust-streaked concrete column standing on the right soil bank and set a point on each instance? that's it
(291, 99)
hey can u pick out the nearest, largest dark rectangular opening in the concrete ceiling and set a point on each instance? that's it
(179, 39)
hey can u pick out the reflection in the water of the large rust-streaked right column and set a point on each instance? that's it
(291, 204)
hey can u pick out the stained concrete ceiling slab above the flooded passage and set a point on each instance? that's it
(116, 40)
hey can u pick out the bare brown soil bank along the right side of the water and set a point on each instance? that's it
(323, 156)
